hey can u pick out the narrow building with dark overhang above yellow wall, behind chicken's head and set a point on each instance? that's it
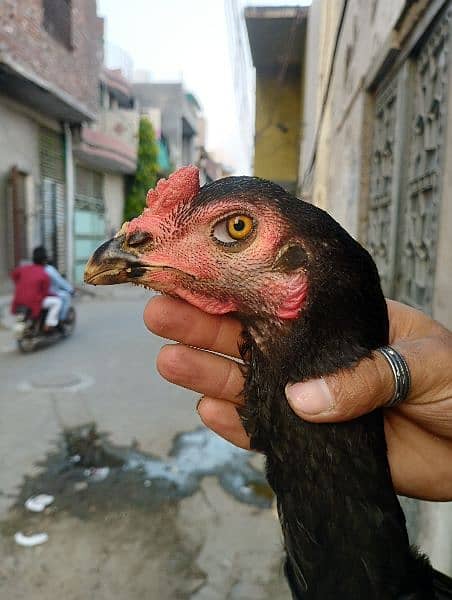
(279, 84)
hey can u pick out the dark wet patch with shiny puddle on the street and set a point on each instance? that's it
(135, 479)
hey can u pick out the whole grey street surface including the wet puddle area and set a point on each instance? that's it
(147, 504)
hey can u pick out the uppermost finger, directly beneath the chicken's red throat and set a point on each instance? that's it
(177, 320)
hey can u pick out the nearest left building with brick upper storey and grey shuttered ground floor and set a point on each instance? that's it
(49, 65)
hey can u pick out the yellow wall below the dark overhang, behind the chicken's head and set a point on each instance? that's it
(277, 136)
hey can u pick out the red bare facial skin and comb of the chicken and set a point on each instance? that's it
(198, 268)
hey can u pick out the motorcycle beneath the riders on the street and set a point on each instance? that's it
(30, 333)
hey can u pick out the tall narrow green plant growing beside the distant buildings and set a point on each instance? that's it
(147, 168)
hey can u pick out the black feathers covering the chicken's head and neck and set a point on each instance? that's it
(344, 530)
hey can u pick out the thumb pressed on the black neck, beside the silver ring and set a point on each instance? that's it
(345, 395)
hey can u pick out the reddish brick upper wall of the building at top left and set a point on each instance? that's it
(74, 70)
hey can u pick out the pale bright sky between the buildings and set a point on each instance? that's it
(187, 40)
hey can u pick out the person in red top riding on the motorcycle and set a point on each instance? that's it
(32, 289)
